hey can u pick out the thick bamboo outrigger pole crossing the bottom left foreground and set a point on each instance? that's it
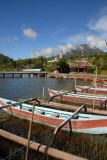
(38, 147)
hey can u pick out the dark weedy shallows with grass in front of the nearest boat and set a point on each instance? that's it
(93, 147)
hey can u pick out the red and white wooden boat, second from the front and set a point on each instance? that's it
(80, 97)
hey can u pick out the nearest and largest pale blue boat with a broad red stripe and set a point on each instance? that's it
(93, 124)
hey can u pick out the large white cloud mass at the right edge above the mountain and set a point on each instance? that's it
(98, 28)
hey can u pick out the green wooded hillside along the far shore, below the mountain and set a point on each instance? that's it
(98, 60)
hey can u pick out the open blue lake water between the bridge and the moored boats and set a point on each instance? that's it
(15, 88)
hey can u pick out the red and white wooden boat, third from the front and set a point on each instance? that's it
(90, 89)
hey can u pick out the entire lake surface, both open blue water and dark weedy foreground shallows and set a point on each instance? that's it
(93, 147)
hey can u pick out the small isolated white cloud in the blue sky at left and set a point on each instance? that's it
(31, 34)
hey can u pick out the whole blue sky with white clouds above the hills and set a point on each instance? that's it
(32, 28)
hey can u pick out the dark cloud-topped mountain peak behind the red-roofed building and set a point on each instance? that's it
(87, 50)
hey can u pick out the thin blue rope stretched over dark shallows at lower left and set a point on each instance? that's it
(26, 146)
